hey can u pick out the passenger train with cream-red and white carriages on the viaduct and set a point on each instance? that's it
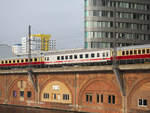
(125, 55)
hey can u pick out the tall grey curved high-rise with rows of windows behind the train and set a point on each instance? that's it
(126, 21)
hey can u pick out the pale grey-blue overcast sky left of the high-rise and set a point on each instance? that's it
(63, 19)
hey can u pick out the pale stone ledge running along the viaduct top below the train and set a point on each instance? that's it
(79, 69)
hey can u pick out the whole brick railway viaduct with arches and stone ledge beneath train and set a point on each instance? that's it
(79, 88)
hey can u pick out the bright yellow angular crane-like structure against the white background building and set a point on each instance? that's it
(45, 39)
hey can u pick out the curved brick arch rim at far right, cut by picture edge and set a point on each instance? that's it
(136, 86)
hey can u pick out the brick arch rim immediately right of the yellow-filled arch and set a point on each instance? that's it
(108, 83)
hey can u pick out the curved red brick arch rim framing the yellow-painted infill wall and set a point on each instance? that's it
(43, 85)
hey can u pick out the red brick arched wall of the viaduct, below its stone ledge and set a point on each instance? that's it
(89, 91)
